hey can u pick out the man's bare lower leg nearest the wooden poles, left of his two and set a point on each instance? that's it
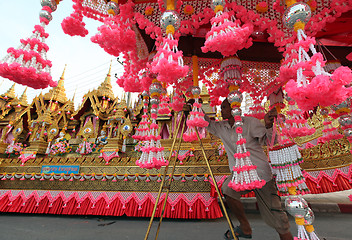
(237, 208)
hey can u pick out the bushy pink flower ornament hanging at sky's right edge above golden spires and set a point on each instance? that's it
(118, 32)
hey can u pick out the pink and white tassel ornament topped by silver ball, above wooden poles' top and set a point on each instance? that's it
(168, 62)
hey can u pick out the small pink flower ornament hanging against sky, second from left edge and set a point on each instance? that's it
(74, 25)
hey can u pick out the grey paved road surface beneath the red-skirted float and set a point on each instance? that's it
(329, 226)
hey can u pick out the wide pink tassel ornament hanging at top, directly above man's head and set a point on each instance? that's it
(226, 36)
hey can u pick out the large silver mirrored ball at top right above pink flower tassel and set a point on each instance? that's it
(296, 12)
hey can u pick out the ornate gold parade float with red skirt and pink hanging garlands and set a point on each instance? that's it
(107, 157)
